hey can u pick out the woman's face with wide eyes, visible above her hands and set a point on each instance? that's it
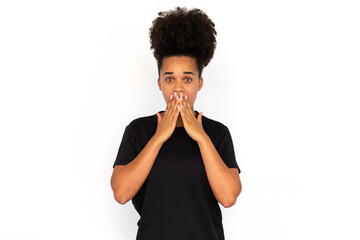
(180, 74)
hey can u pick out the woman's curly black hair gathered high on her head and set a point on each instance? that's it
(182, 32)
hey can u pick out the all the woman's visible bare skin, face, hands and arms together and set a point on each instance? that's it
(225, 182)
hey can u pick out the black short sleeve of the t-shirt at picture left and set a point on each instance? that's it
(127, 149)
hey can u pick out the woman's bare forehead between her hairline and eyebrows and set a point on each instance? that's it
(179, 63)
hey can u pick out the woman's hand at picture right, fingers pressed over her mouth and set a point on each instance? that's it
(192, 125)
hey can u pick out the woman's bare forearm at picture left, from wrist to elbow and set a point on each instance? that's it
(130, 179)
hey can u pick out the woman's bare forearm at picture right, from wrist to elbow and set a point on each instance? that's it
(222, 181)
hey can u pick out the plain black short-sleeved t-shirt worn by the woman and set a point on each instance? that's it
(176, 200)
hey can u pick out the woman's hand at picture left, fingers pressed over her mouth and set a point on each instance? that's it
(167, 123)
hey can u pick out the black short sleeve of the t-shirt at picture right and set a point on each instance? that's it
(226, 149)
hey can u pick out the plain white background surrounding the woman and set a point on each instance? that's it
(284, 78)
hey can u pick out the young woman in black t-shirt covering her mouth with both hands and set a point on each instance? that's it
(177, 165)
